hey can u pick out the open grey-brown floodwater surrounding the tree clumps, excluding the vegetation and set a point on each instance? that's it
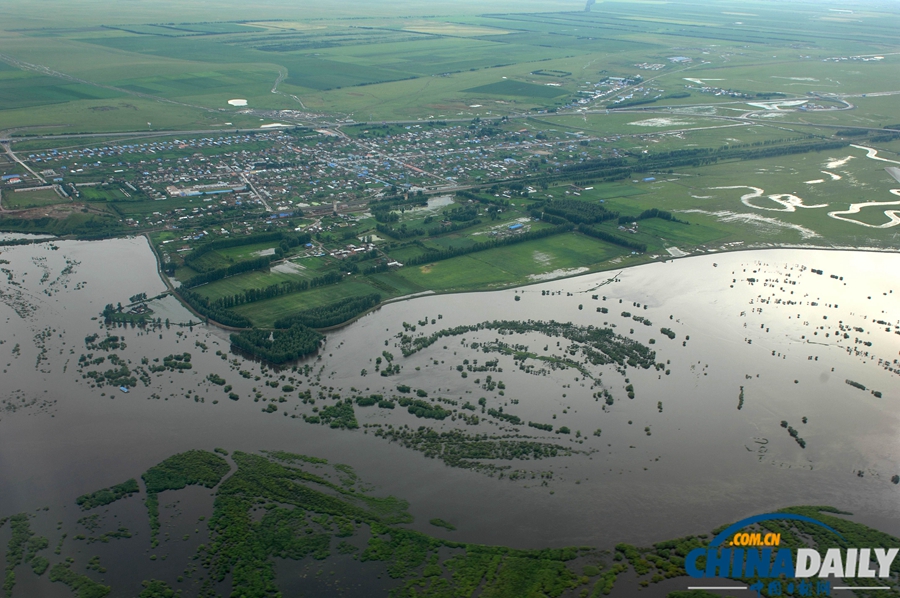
(763, 320)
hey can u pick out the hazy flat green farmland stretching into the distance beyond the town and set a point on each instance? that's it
(384, 68)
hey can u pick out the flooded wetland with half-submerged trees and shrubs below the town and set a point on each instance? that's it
(591, 411)
